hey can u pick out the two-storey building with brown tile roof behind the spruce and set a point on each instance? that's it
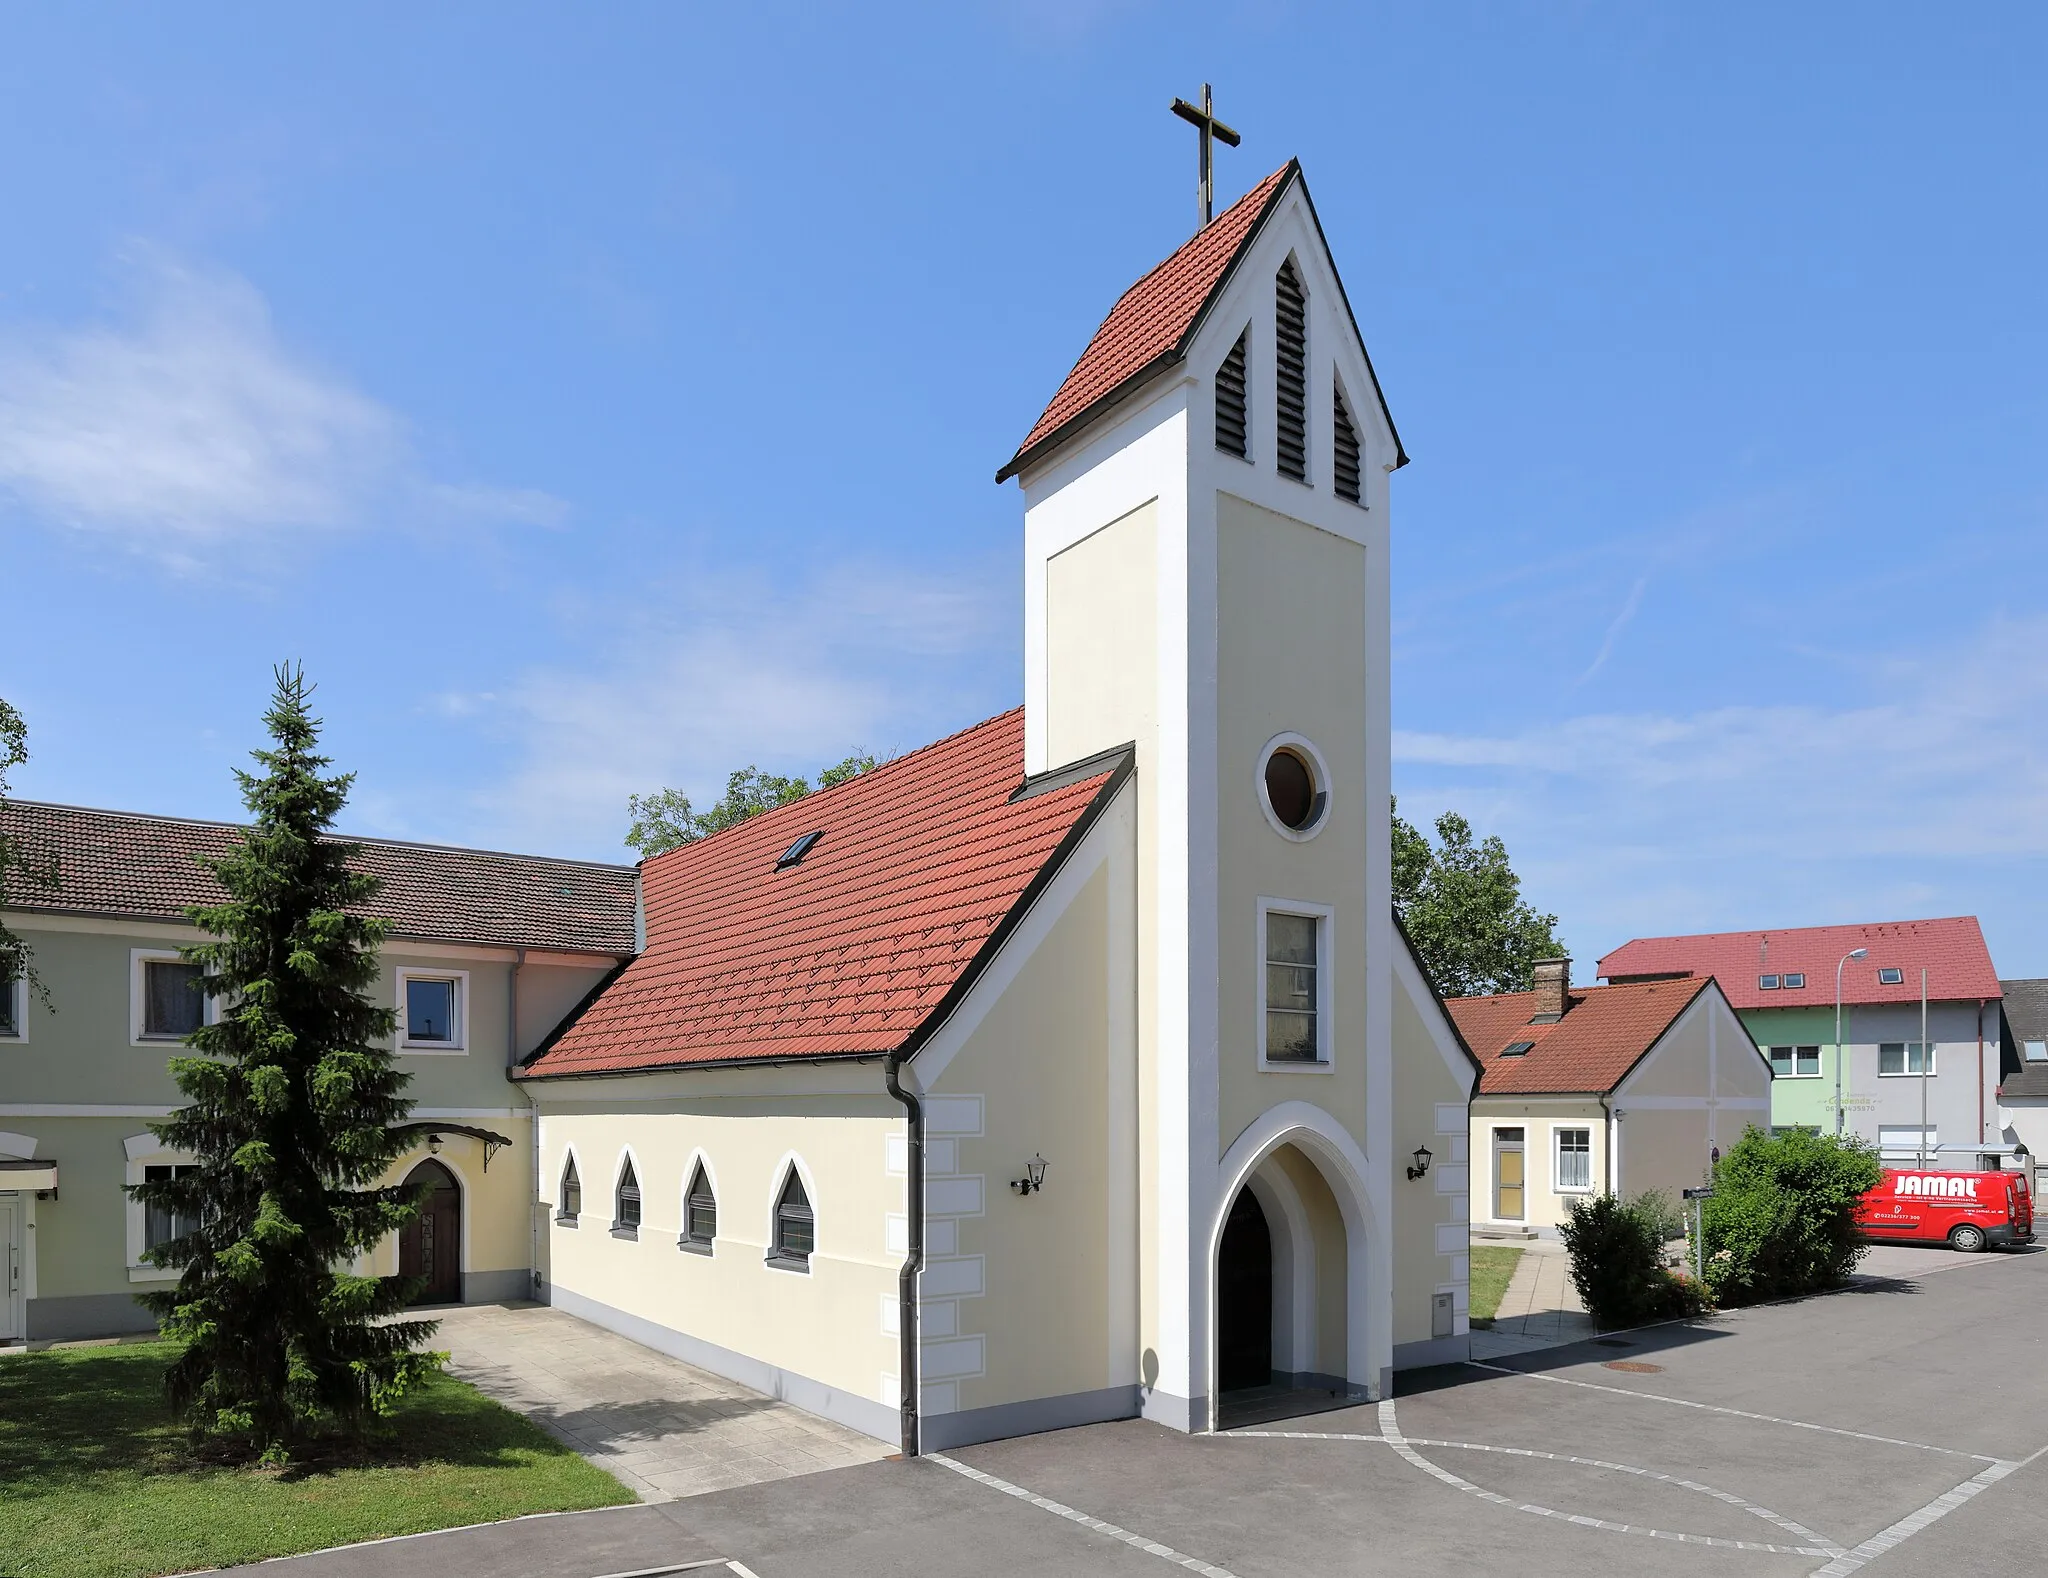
(486, 957)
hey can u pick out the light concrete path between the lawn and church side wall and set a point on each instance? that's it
(665, 1428)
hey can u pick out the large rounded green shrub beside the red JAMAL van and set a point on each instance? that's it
(1783, 1219)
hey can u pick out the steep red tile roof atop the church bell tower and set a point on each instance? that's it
(1154, 322)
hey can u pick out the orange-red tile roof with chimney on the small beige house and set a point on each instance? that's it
(1590, 1051)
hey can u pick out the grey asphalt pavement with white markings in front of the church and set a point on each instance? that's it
(1893, 1428)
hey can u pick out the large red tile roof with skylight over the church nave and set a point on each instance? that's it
(857, 947)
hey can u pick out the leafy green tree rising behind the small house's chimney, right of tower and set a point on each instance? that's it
(1463, 908)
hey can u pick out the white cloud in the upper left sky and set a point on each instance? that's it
(194, 425)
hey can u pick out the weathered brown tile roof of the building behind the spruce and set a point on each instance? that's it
(126, 865)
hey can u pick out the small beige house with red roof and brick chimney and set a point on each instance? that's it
(1603, 1090)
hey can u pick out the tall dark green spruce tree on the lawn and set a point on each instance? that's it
(294, 1094)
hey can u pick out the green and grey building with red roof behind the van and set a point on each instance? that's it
(1887, 1086)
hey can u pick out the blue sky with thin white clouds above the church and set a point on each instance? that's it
(607, 398)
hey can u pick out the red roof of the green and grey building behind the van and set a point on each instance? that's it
(1953, 953)
